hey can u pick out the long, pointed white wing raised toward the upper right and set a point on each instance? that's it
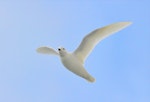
(91, 40)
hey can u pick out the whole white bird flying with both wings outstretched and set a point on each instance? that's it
(75, 61)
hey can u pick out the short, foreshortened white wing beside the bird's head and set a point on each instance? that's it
(46, 50)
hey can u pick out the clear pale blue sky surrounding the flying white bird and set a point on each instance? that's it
(120, 63)
